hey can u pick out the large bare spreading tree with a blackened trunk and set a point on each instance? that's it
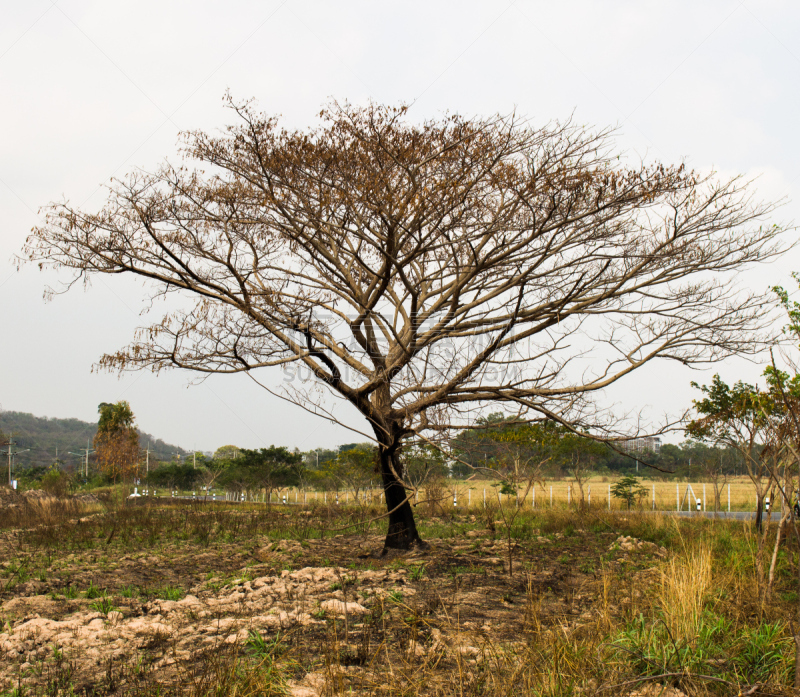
(421, 270)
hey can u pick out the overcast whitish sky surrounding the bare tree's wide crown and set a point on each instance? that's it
(91, 90)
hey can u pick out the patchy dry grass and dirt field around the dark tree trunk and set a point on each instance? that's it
(181, 598)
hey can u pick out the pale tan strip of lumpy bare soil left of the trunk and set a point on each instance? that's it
(206, 619)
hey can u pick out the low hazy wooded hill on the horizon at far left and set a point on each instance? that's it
(44, 435)
